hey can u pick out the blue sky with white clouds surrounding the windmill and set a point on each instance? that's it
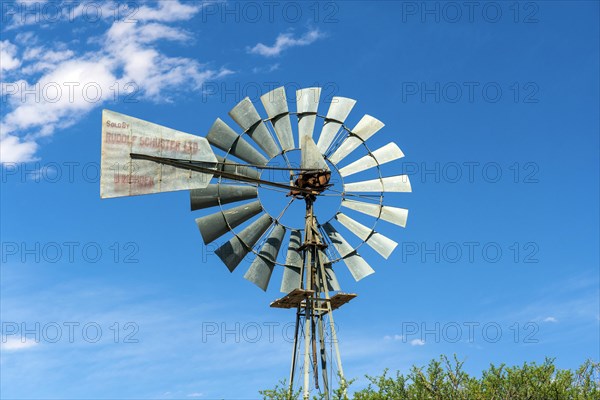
(495, 108)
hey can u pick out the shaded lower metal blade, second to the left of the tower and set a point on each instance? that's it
(261, 269)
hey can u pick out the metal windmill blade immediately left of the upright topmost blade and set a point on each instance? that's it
(275, 103)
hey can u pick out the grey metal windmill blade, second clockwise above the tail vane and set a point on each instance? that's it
(246, 116)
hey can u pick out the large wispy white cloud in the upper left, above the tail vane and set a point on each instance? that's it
(72, 83)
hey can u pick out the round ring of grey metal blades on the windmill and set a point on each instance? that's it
(274, 137)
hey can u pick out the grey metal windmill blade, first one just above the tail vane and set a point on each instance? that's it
(225, 138)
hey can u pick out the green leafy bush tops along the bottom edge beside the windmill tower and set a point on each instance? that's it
(445, 379)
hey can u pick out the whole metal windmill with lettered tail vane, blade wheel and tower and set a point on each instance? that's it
(139, 157)
